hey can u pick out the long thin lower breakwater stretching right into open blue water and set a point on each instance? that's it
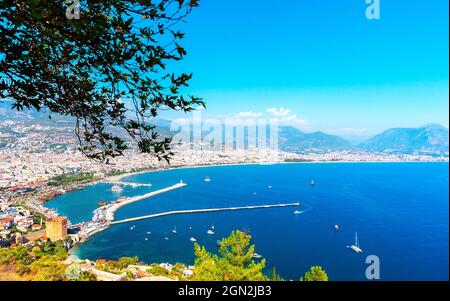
(201, 211)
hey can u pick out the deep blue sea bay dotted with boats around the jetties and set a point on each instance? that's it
(399, 210)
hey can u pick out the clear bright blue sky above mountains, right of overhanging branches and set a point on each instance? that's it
(322, 65)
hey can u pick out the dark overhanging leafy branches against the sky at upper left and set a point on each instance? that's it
(116, 52)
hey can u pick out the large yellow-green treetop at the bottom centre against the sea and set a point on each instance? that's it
(234, 263)
